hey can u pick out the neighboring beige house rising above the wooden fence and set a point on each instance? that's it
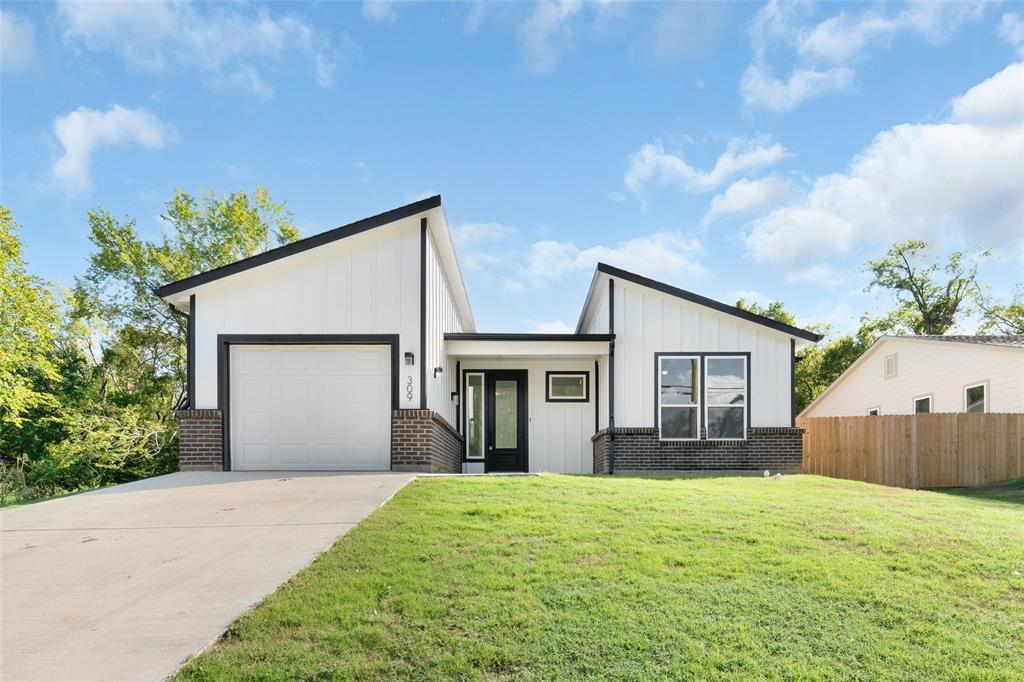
(903, 375)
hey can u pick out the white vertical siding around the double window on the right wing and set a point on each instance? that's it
(649, 322)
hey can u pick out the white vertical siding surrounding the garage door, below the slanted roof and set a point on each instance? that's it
(365, 284)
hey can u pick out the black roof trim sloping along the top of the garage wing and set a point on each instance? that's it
(302, 245)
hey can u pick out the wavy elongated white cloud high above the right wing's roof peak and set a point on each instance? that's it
(653, 165)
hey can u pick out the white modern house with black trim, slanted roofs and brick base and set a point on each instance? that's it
(356, 350)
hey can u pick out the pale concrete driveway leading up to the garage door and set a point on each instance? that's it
(126, 583)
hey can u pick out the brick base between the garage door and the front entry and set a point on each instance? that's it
(423, 441)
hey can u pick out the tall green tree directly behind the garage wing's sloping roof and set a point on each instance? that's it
(145, 348)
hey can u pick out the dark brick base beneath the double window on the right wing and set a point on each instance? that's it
(778, 449)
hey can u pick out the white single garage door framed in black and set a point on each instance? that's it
(311, 408)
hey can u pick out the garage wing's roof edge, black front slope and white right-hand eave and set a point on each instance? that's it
(447, 253)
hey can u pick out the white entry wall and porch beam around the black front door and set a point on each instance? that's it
(560, 433)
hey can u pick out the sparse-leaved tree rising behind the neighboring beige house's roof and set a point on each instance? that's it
(930, 296)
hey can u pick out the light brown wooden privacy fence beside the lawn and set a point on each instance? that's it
(917, 451)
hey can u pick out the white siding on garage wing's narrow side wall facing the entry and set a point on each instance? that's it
(443, 317)
